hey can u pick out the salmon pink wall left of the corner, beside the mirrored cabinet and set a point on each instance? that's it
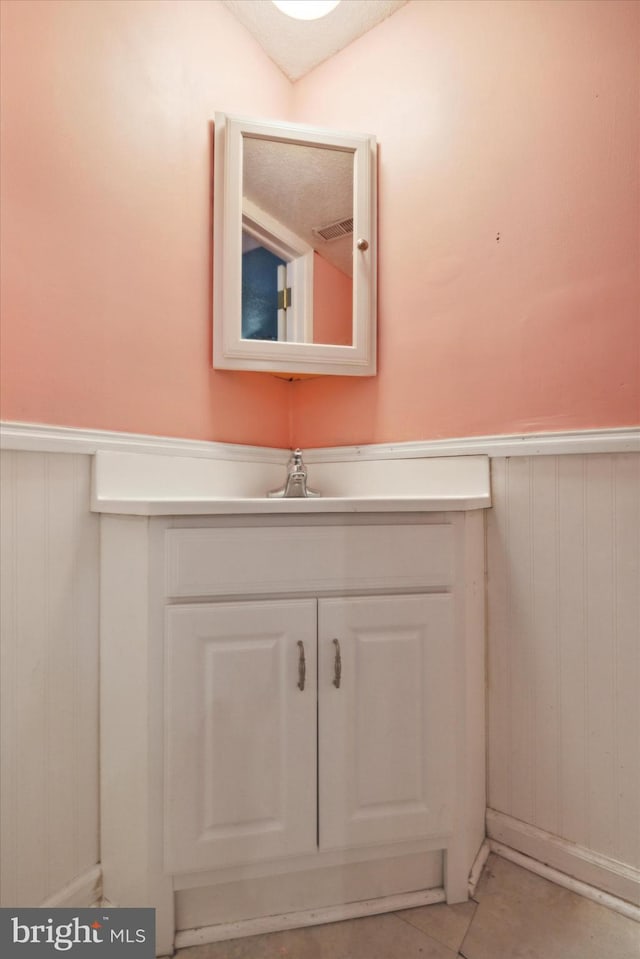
(106, 216)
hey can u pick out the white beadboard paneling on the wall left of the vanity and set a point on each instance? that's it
(49, 675)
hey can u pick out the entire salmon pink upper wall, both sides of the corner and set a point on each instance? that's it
(508, 218)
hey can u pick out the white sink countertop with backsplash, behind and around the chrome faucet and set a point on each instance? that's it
(148, 485)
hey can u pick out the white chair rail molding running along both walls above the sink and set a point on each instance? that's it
(43, 438)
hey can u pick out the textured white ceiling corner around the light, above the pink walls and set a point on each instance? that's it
(297, 46)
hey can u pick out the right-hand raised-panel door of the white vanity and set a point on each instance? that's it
(386, 733)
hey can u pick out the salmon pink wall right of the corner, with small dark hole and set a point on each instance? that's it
(508, 220)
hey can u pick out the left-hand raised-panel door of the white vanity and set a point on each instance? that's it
(240, 754)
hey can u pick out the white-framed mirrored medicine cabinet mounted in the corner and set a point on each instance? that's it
(294, 249)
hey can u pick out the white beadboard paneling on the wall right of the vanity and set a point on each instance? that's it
(564, 648)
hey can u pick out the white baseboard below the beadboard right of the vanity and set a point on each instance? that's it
(599, 872)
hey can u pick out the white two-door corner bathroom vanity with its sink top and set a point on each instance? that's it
(292, 695)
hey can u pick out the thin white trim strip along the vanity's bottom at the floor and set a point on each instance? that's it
(308, 917)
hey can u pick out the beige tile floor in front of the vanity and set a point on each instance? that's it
(514, 915)
